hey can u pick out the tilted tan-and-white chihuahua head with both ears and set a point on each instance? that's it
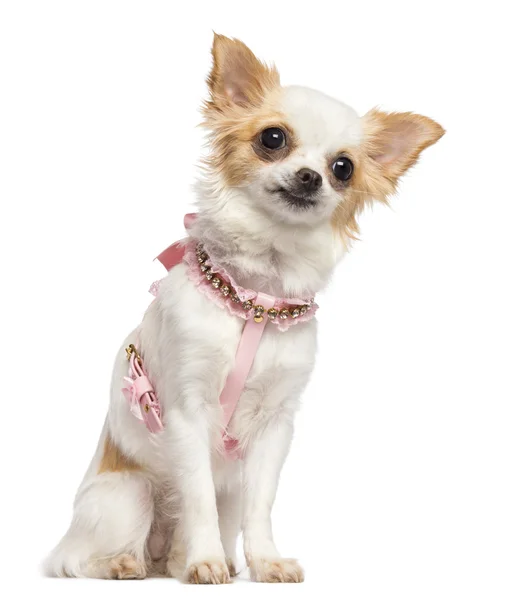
(297, 155)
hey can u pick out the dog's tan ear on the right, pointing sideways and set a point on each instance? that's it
(394, 141)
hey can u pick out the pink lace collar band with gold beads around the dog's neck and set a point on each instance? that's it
(221, 289)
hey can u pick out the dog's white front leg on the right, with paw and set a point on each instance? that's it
(263, 461)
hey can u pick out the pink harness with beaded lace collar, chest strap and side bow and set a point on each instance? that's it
(256, 308)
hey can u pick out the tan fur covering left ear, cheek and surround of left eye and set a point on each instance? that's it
(244, 93)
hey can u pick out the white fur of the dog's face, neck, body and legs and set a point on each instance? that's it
(187, 492)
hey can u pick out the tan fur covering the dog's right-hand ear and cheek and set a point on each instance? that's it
(392, 144)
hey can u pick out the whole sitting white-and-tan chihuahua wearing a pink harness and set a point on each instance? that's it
(288, 172)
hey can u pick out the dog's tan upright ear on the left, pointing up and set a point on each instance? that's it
(237, 76)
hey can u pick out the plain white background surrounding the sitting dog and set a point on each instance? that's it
(395, 487)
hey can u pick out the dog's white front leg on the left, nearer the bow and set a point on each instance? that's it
(189, 446)
